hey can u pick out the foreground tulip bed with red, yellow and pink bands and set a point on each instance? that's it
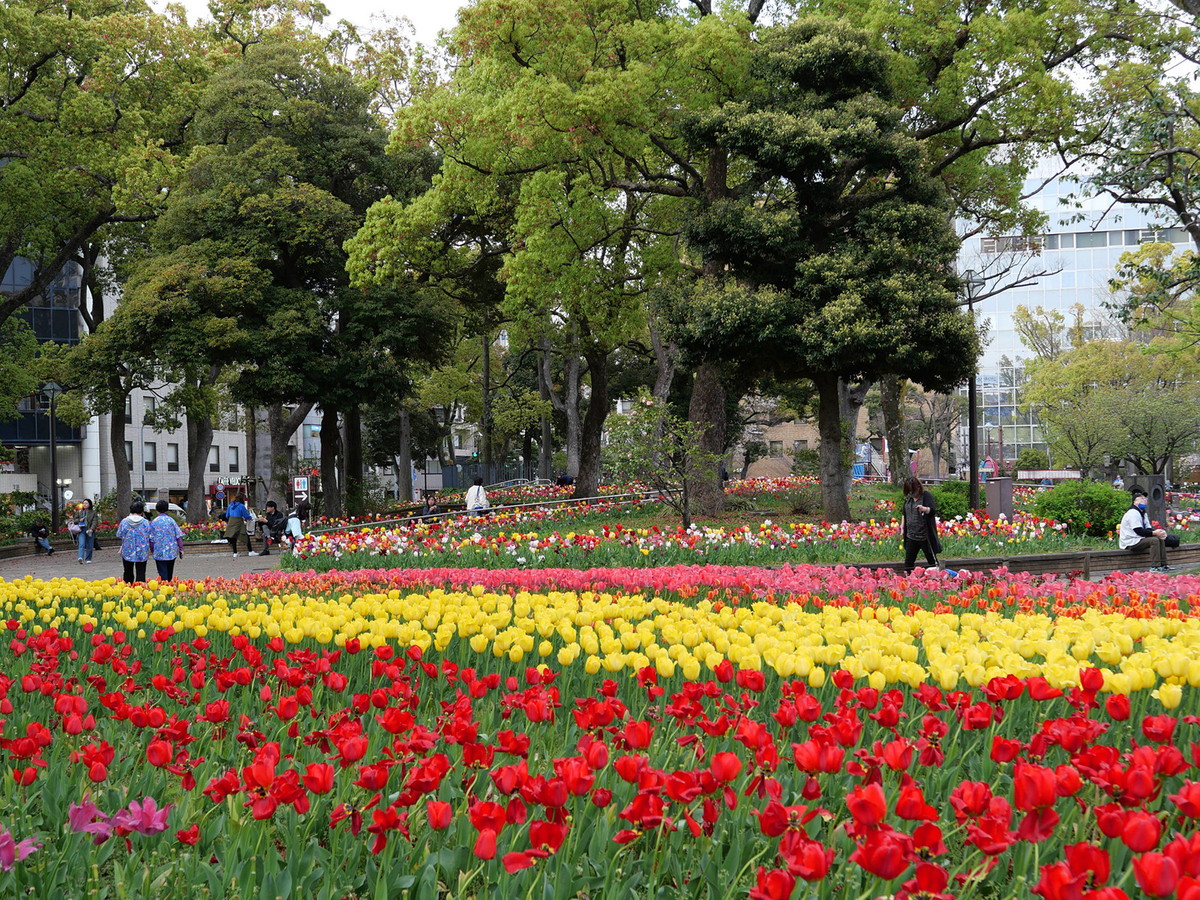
(717, 733)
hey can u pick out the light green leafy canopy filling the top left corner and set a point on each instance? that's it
(94, 100)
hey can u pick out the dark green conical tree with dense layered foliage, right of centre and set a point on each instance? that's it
(850, 239)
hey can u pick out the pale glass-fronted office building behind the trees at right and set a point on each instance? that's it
(1075, 261)
